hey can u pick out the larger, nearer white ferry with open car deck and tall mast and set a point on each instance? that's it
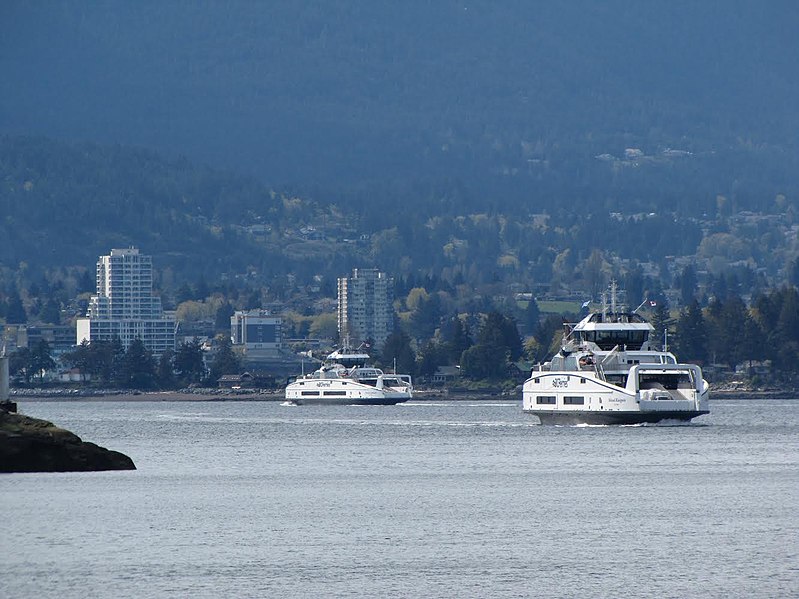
(608, 372)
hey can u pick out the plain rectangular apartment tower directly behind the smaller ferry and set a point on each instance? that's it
(365, 307)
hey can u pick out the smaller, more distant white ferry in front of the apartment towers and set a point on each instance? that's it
(345, 379)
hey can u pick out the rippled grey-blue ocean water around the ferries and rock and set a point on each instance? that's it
(426, 499)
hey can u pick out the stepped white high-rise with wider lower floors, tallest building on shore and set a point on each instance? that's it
(124, 306)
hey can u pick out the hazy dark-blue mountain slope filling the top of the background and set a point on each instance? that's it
(512, 100)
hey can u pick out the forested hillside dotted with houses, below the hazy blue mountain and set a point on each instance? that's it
(64, 204)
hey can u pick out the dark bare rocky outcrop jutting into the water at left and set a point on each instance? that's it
(32, 445)
